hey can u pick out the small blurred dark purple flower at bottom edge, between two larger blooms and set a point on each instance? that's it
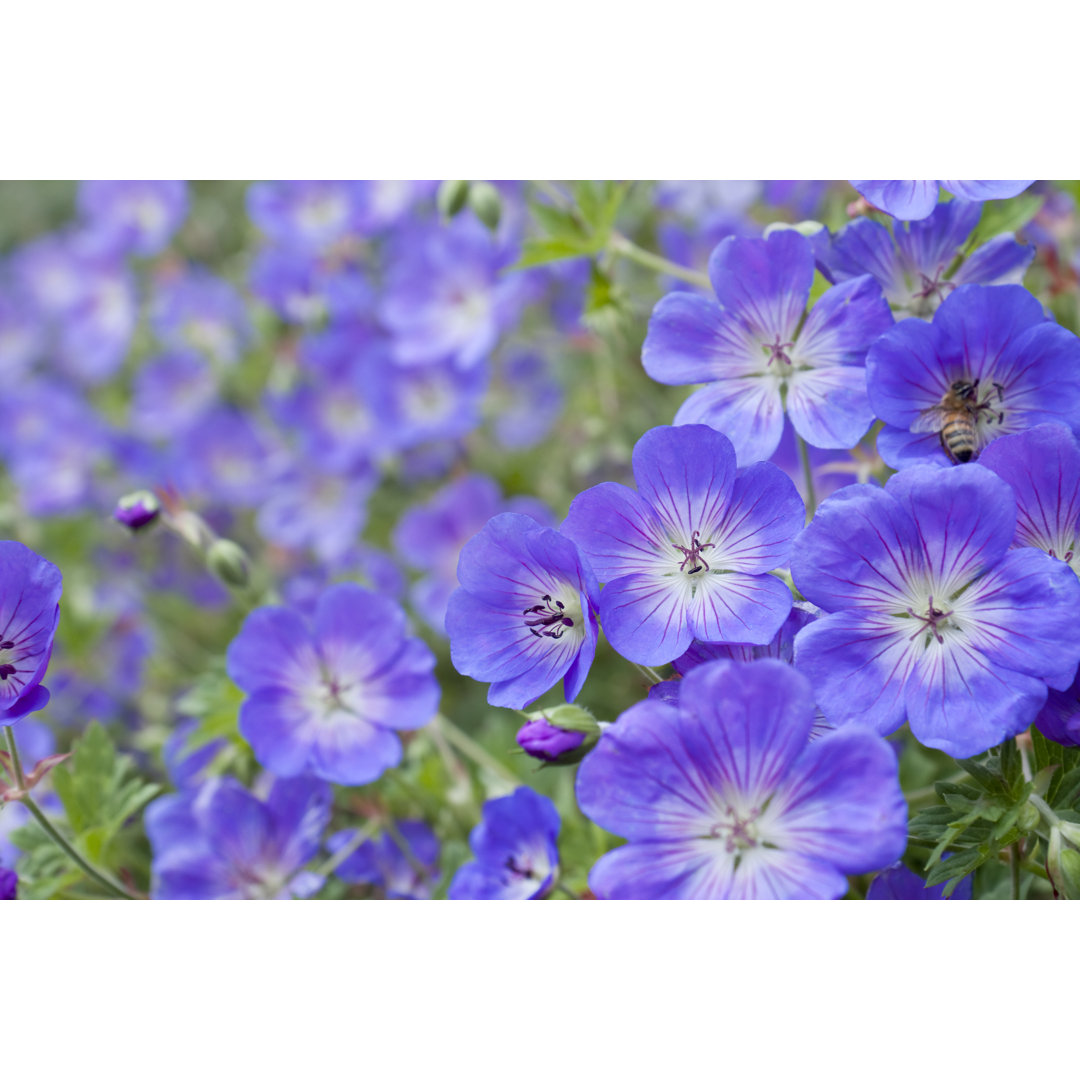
(401, 874)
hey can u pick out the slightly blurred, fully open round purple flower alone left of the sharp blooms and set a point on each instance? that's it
(328, 697)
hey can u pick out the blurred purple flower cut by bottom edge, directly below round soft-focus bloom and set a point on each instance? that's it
(224, 843)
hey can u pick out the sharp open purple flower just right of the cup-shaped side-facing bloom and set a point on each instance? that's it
(688, 555)
